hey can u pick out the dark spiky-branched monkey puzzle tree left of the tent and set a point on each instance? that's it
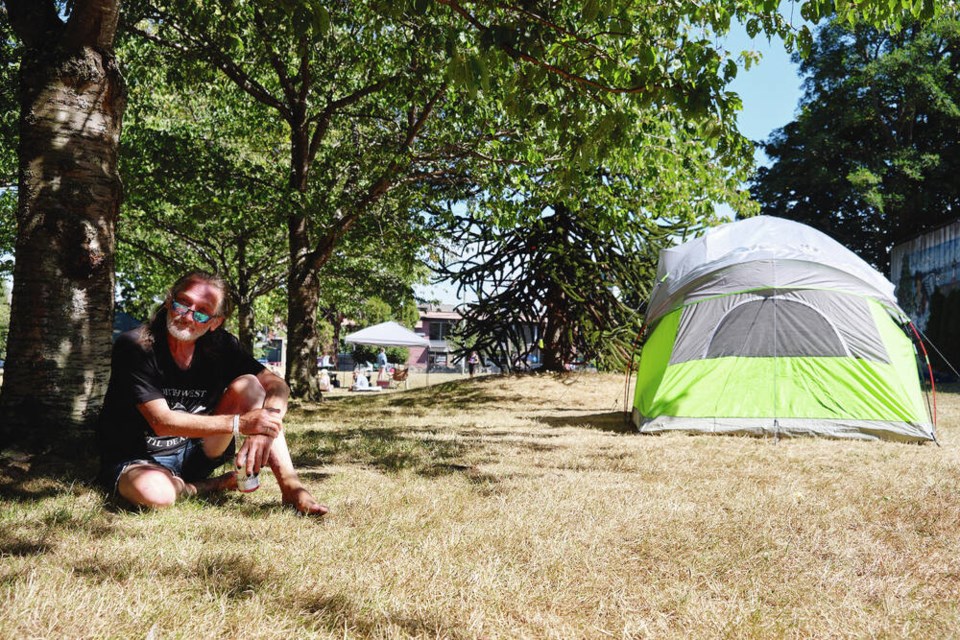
(550, 285)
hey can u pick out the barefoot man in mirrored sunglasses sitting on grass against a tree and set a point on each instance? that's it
(180, 391)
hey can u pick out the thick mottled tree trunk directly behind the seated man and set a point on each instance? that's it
(58, 358)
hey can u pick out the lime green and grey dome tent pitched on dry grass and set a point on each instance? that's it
(766, 326)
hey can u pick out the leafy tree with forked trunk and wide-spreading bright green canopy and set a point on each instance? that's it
(383, 98)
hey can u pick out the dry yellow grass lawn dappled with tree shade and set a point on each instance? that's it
(509, 508)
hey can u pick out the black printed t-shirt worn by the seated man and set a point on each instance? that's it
(142, 372)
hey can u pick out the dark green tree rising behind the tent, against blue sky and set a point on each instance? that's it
(873, 155)
